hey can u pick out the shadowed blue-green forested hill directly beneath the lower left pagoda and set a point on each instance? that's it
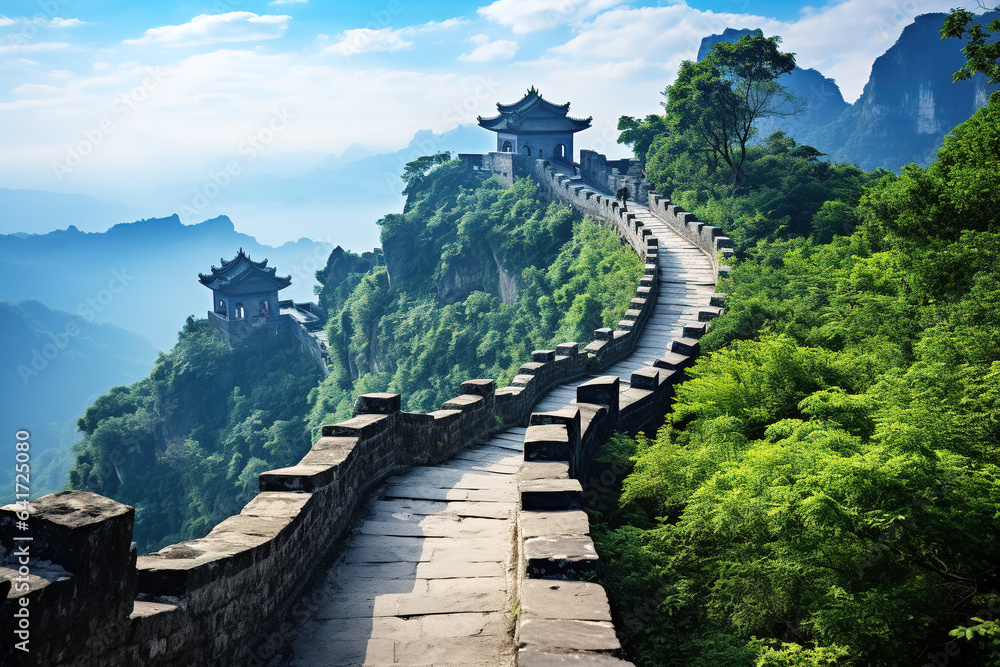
(185, 445)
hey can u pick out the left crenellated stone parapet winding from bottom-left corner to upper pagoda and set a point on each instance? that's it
(211, 600)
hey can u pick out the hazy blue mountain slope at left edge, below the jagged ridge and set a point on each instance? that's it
(55, 365)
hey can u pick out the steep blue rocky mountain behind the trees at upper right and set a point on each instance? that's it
(908, 105)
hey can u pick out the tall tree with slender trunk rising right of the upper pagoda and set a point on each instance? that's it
(722, 97)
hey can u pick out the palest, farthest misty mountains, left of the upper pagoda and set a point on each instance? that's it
(336, 200)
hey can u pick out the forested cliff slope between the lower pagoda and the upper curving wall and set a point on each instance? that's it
(475, 277)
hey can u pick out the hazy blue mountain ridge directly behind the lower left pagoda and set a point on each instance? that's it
(142, 276)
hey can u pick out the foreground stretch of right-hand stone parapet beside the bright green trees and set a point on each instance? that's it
(564, 615)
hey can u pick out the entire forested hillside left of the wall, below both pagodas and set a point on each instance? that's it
(185, 446)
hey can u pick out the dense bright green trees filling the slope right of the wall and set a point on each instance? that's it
(826, 489)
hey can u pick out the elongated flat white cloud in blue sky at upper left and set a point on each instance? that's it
(217, 28)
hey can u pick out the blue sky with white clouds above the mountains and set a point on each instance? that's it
(151, 92)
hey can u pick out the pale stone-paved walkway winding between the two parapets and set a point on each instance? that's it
(430, 576)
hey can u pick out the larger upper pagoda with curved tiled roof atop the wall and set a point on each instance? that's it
(535, 127)
